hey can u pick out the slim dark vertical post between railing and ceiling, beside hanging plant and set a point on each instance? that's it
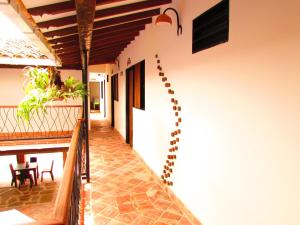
(86, 116)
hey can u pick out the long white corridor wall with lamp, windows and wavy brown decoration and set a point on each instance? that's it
(239, 155)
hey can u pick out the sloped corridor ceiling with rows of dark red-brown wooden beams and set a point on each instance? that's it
(108, 26)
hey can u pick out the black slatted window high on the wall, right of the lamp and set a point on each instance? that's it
(212, 27)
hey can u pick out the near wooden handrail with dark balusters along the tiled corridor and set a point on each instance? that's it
(66, 209)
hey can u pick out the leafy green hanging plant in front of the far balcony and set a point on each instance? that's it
(43, 86)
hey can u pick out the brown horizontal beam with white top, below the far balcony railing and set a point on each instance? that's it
(35, 149)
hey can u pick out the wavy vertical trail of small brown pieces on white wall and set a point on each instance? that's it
(174, 139)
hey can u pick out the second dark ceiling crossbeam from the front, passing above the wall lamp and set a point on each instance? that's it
(105, 12)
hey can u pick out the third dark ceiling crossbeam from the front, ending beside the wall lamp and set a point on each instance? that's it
(104, 23)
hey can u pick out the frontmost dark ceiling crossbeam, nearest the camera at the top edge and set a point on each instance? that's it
(62, 7)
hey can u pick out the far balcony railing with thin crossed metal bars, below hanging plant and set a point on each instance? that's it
(57, 123)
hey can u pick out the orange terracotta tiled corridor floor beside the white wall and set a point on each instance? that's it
(123, 190)
